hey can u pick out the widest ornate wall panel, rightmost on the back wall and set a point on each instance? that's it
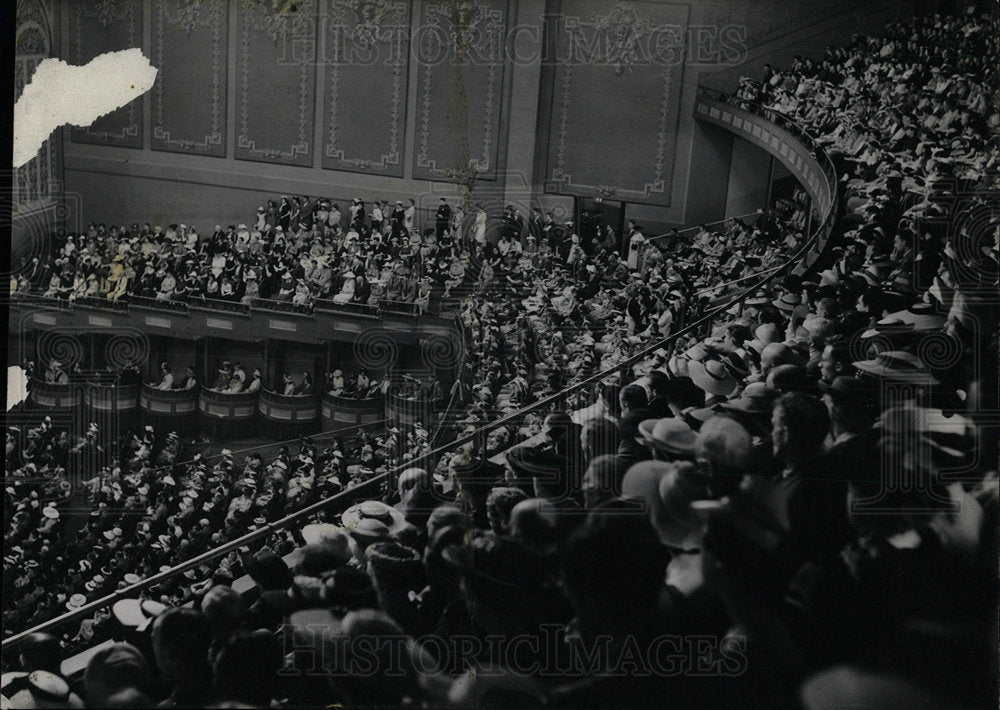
(616, 99)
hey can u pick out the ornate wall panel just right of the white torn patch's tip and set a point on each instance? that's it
(189, 48)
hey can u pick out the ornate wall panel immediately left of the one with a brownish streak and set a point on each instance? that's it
(366, 51)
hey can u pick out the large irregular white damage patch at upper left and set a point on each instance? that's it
(61, 93)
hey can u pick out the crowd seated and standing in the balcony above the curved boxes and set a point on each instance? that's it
(367, 257)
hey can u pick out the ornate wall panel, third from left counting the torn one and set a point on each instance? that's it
(276, 58)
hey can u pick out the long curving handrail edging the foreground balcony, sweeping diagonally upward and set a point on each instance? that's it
(376, 482)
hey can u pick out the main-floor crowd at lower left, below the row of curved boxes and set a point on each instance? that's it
(151, 510)
